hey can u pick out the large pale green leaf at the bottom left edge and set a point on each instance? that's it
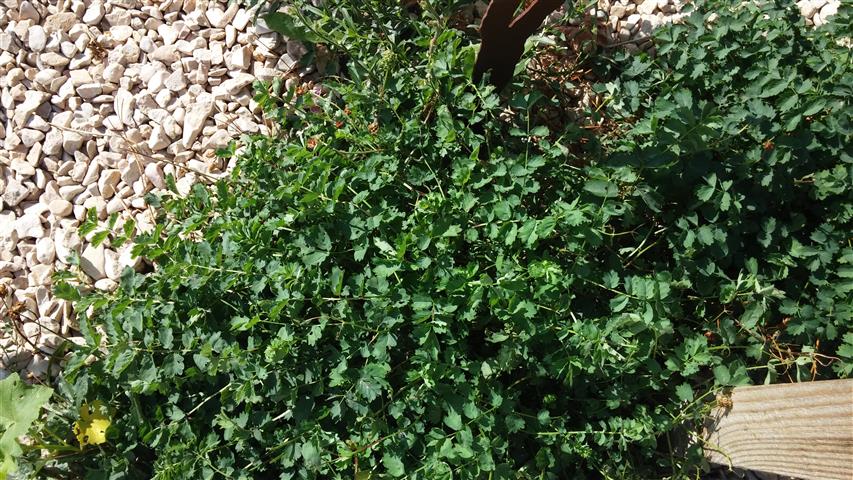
(20, 405)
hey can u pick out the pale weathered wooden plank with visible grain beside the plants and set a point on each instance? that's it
(802, 430)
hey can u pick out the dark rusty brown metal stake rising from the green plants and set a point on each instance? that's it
(503, 37)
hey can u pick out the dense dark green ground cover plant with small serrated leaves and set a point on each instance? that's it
(418, 277)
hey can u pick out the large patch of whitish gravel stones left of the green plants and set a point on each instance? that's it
(99, 101)
